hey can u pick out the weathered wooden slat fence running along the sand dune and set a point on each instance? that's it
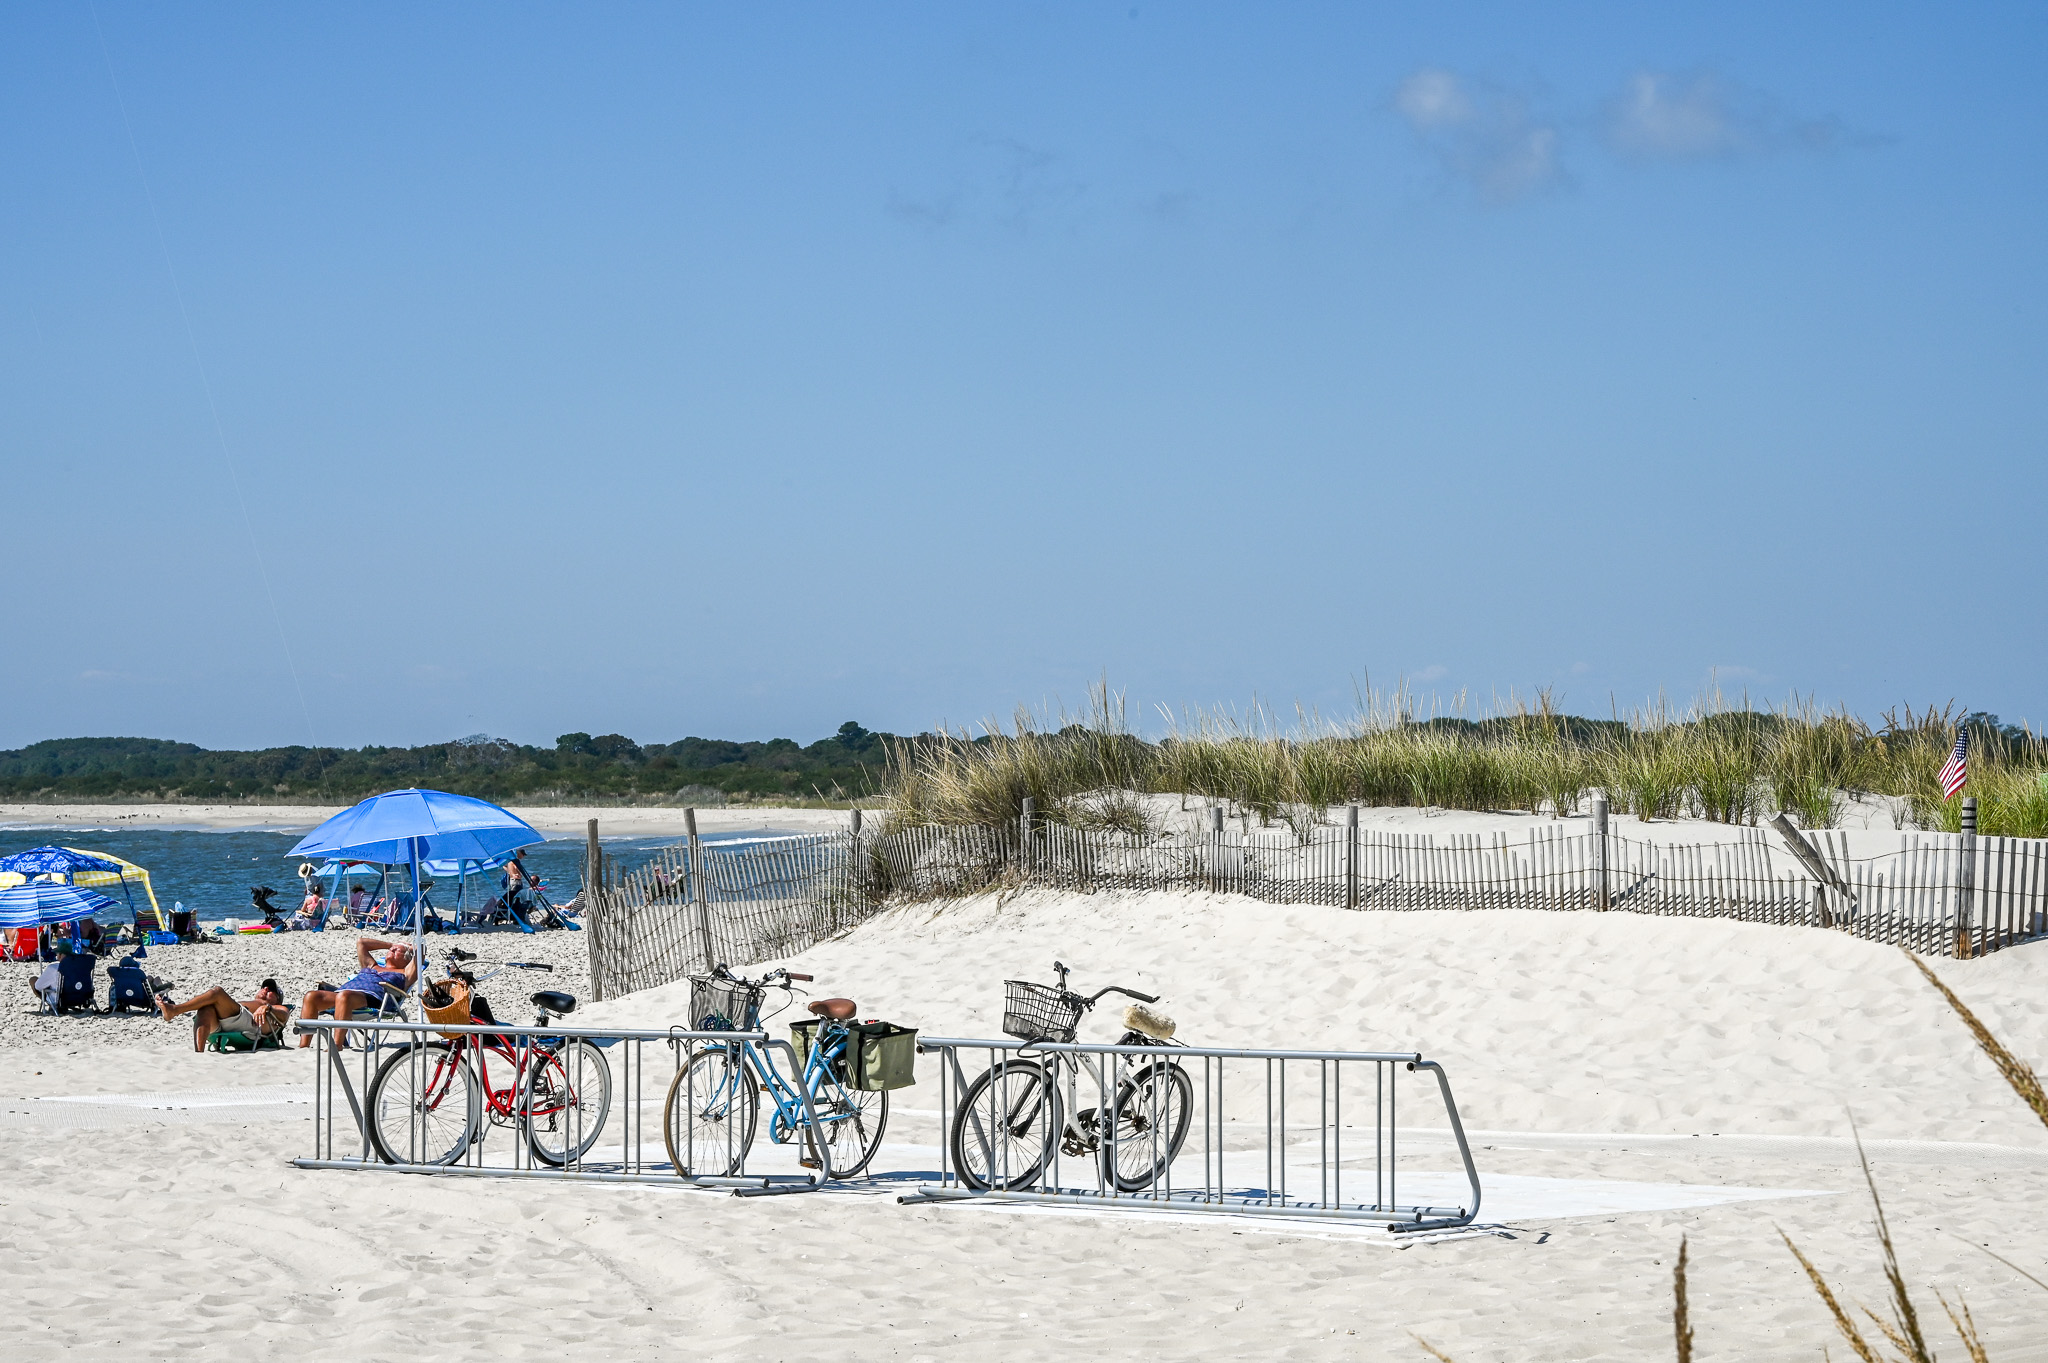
(1936, 893)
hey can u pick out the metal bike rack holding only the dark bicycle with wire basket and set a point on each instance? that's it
(1273, 1133)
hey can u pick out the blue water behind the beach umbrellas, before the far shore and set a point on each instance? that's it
(212, 871)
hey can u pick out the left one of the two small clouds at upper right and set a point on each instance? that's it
(1482, 136)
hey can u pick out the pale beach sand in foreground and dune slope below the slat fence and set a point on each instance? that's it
(1586, 1053)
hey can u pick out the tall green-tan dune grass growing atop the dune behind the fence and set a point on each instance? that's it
(1717, 760)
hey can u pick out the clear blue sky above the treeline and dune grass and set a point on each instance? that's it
(738, 371)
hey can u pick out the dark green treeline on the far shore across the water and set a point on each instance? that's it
(847, 766)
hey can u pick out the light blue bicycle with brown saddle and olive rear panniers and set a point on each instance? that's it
(714, 1104)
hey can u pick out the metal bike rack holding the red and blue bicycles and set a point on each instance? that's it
(617, 1153)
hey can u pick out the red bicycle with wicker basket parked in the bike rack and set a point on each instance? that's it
(431, 1102)
